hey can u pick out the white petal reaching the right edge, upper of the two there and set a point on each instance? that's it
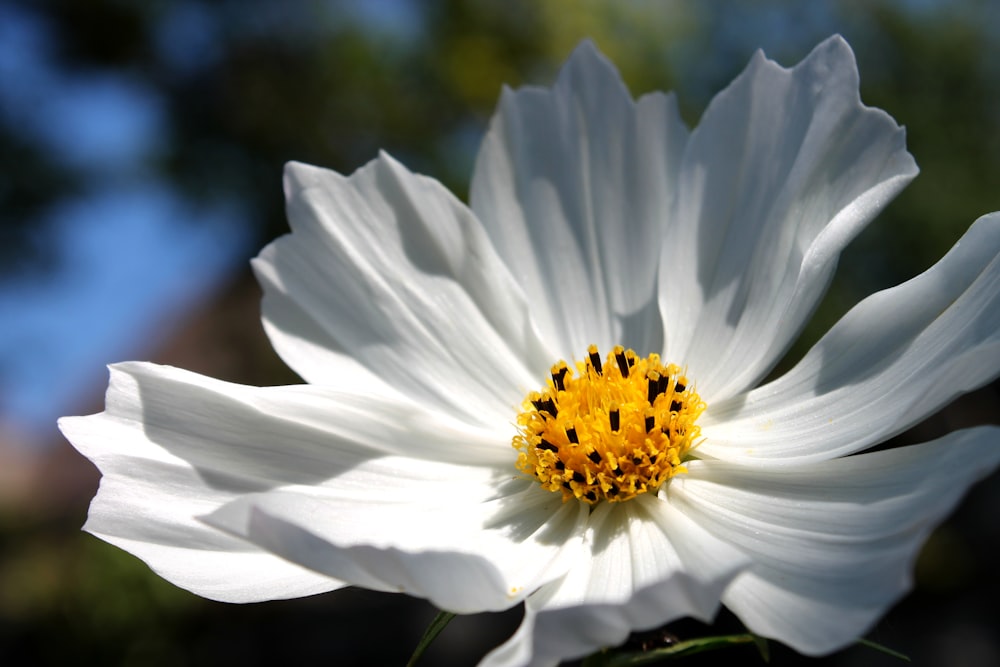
(895, 358)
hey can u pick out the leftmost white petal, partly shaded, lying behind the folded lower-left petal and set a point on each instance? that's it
(173, 445)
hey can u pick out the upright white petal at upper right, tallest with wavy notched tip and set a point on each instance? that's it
(785, 168)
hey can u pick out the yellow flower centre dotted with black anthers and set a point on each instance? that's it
(610, 430)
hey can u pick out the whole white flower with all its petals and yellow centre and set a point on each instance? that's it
(422, 327)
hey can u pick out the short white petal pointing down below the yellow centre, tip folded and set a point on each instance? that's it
(646, 565)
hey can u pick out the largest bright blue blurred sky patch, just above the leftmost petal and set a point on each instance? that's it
(133, 261)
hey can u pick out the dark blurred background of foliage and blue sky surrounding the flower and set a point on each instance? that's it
(141, 148)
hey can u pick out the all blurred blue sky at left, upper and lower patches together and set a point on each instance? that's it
(132, 255)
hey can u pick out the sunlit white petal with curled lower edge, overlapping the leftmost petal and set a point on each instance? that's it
(468, 545)
